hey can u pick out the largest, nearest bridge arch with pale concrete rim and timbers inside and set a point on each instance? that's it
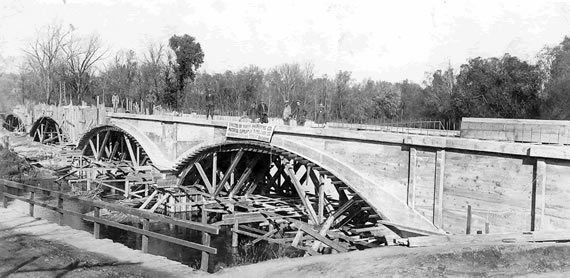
(310, 185)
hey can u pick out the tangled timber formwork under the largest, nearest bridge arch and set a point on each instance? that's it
(271, 194)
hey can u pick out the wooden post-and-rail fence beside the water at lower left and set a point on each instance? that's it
(207, 230)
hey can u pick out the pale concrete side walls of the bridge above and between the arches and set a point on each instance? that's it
(418, 181)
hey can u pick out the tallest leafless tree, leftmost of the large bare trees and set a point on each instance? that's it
(45, 53)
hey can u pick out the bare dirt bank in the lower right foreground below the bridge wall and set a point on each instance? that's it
(526, 260)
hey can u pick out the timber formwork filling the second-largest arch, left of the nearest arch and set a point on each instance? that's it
(112, 158)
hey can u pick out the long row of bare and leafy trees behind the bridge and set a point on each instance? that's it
(61, 66)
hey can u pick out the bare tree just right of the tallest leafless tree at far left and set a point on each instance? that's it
(80, 56)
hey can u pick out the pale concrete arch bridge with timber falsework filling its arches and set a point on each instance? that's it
(338, 188)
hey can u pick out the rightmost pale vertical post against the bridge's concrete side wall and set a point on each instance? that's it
(538, 195)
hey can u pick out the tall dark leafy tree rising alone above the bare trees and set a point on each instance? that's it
(189, 57)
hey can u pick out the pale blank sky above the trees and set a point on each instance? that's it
(381, 40)
